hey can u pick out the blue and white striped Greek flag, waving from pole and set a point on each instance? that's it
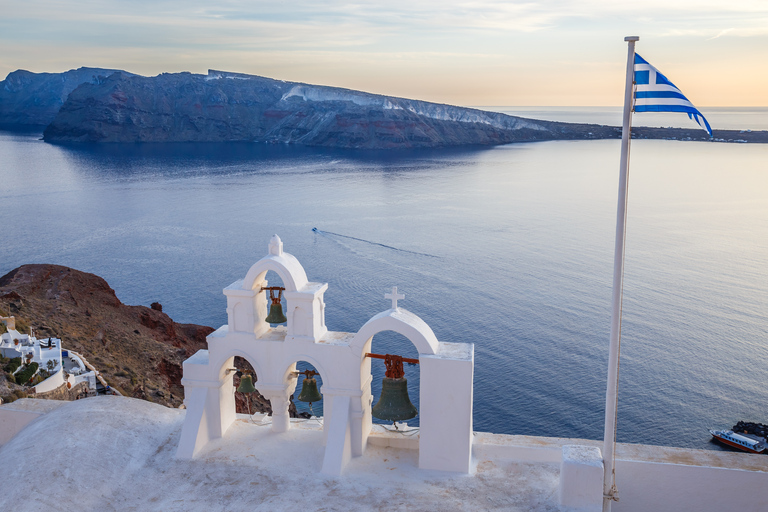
(655, 93)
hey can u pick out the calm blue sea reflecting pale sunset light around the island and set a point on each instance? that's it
(508, 247)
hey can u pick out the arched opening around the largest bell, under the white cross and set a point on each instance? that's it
(391, 342)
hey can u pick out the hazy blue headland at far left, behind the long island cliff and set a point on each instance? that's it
(34, 99)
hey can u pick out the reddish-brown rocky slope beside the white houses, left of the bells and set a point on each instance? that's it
(139, 350)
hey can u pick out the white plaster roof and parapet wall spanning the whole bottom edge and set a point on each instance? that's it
(116, 453)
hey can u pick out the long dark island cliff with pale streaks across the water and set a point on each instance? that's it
(234, 107)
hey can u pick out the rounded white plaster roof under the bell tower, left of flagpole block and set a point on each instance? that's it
(117, 454)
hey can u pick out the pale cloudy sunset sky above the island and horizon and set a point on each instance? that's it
(470, 53)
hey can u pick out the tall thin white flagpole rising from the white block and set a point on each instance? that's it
(611, 396)
